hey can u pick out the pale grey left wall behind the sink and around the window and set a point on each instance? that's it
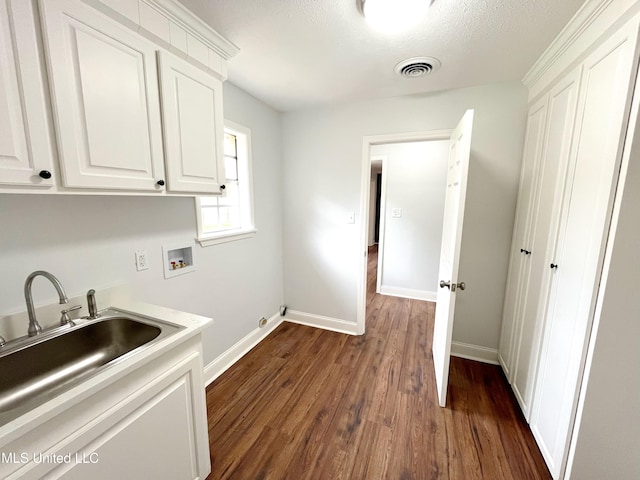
(89, 242)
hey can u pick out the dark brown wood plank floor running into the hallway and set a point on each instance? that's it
(312, 404)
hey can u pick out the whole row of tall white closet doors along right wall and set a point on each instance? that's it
(553, 283)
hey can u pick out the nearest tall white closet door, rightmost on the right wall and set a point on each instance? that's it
(603, 104)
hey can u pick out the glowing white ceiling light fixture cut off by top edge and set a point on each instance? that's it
(393, 16)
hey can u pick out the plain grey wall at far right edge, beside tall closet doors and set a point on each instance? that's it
(606, 444)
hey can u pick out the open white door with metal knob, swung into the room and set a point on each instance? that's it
(459, 152)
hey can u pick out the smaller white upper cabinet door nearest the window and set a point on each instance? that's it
(193, 126)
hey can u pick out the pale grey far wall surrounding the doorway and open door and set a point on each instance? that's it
(322, 155)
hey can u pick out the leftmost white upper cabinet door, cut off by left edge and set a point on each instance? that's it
(25, 145)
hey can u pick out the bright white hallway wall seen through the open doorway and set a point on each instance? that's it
(416, 174)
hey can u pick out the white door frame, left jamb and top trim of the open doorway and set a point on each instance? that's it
(365, 184)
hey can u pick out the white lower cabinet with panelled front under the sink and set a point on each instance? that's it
(151, 423)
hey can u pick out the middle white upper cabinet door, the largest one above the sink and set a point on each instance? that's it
(105, 98)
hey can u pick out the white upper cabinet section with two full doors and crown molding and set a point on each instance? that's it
(117, 130)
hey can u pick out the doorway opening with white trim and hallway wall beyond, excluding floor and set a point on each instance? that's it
(396, 183)
